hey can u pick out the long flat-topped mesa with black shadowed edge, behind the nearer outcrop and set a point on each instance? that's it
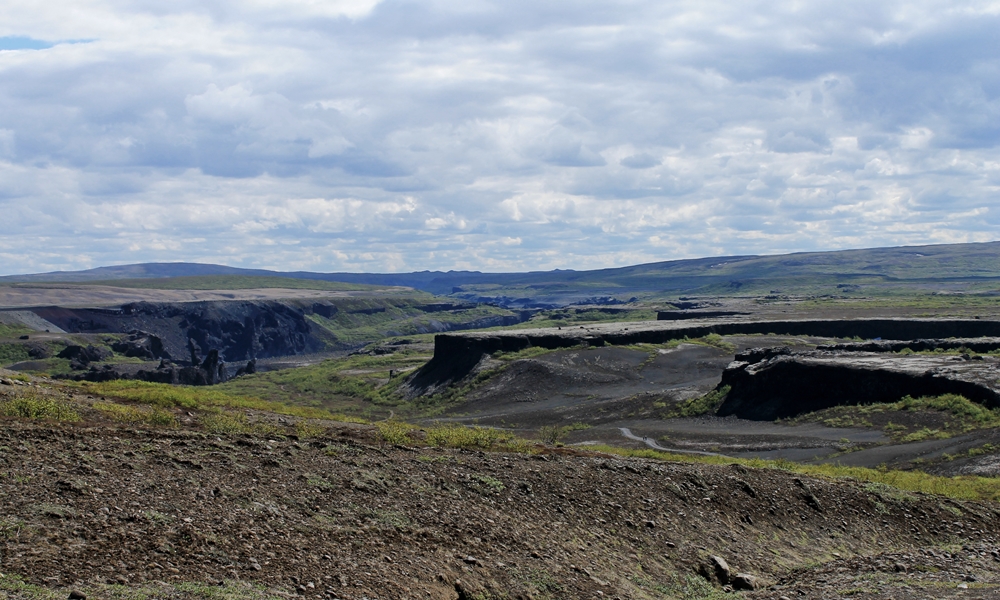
(457, 354)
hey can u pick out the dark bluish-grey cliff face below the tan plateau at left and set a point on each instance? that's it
(238, 330)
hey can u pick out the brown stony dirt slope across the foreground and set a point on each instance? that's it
(104, 510)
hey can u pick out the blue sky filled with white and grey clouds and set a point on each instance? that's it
(338, 135)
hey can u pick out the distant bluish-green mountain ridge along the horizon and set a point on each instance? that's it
(948, 268)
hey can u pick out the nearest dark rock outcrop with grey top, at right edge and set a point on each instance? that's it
(772, 383)
